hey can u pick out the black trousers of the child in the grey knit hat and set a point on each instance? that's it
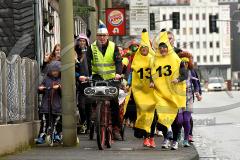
(47, 120)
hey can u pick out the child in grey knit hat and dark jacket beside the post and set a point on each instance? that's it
(50, 109)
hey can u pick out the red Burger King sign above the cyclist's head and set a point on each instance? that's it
(116, 22)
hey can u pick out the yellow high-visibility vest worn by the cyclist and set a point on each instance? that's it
(103, 65)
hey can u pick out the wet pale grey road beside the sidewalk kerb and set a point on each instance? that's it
(217, 132)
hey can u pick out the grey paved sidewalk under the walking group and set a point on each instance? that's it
(131, 149)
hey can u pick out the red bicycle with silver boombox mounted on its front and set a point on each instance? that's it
(102, 93)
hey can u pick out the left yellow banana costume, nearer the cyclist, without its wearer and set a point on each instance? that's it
(143, 95)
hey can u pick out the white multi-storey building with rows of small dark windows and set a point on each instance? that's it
(211, 51)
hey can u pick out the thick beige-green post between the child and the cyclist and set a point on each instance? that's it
(67, 74)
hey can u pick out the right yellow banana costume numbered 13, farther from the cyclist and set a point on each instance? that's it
(168, 96)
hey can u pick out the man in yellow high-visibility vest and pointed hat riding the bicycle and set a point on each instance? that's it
(105, 63)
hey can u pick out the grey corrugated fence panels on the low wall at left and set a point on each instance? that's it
(18, 89)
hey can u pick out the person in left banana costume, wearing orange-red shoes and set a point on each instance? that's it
(142, 93)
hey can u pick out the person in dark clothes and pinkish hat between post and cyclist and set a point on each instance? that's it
(82, 74)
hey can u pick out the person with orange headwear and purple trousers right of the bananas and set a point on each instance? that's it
(193, 89)
